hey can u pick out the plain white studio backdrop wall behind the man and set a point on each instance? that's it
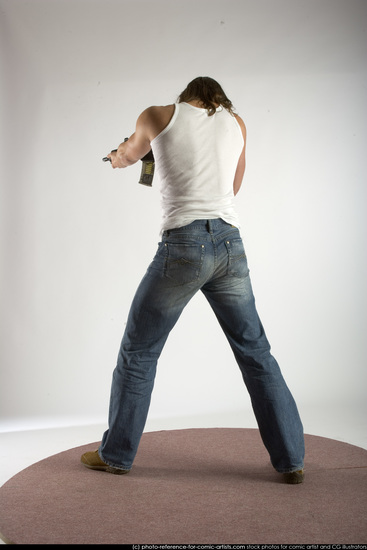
(76, 237)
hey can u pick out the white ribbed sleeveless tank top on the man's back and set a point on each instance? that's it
(196, 158)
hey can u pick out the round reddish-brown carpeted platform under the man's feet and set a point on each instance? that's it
(193, 486)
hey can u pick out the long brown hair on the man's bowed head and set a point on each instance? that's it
(208, 91)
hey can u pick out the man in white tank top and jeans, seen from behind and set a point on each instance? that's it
(199, 150)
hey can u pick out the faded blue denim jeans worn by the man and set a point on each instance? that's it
(207, 255)
